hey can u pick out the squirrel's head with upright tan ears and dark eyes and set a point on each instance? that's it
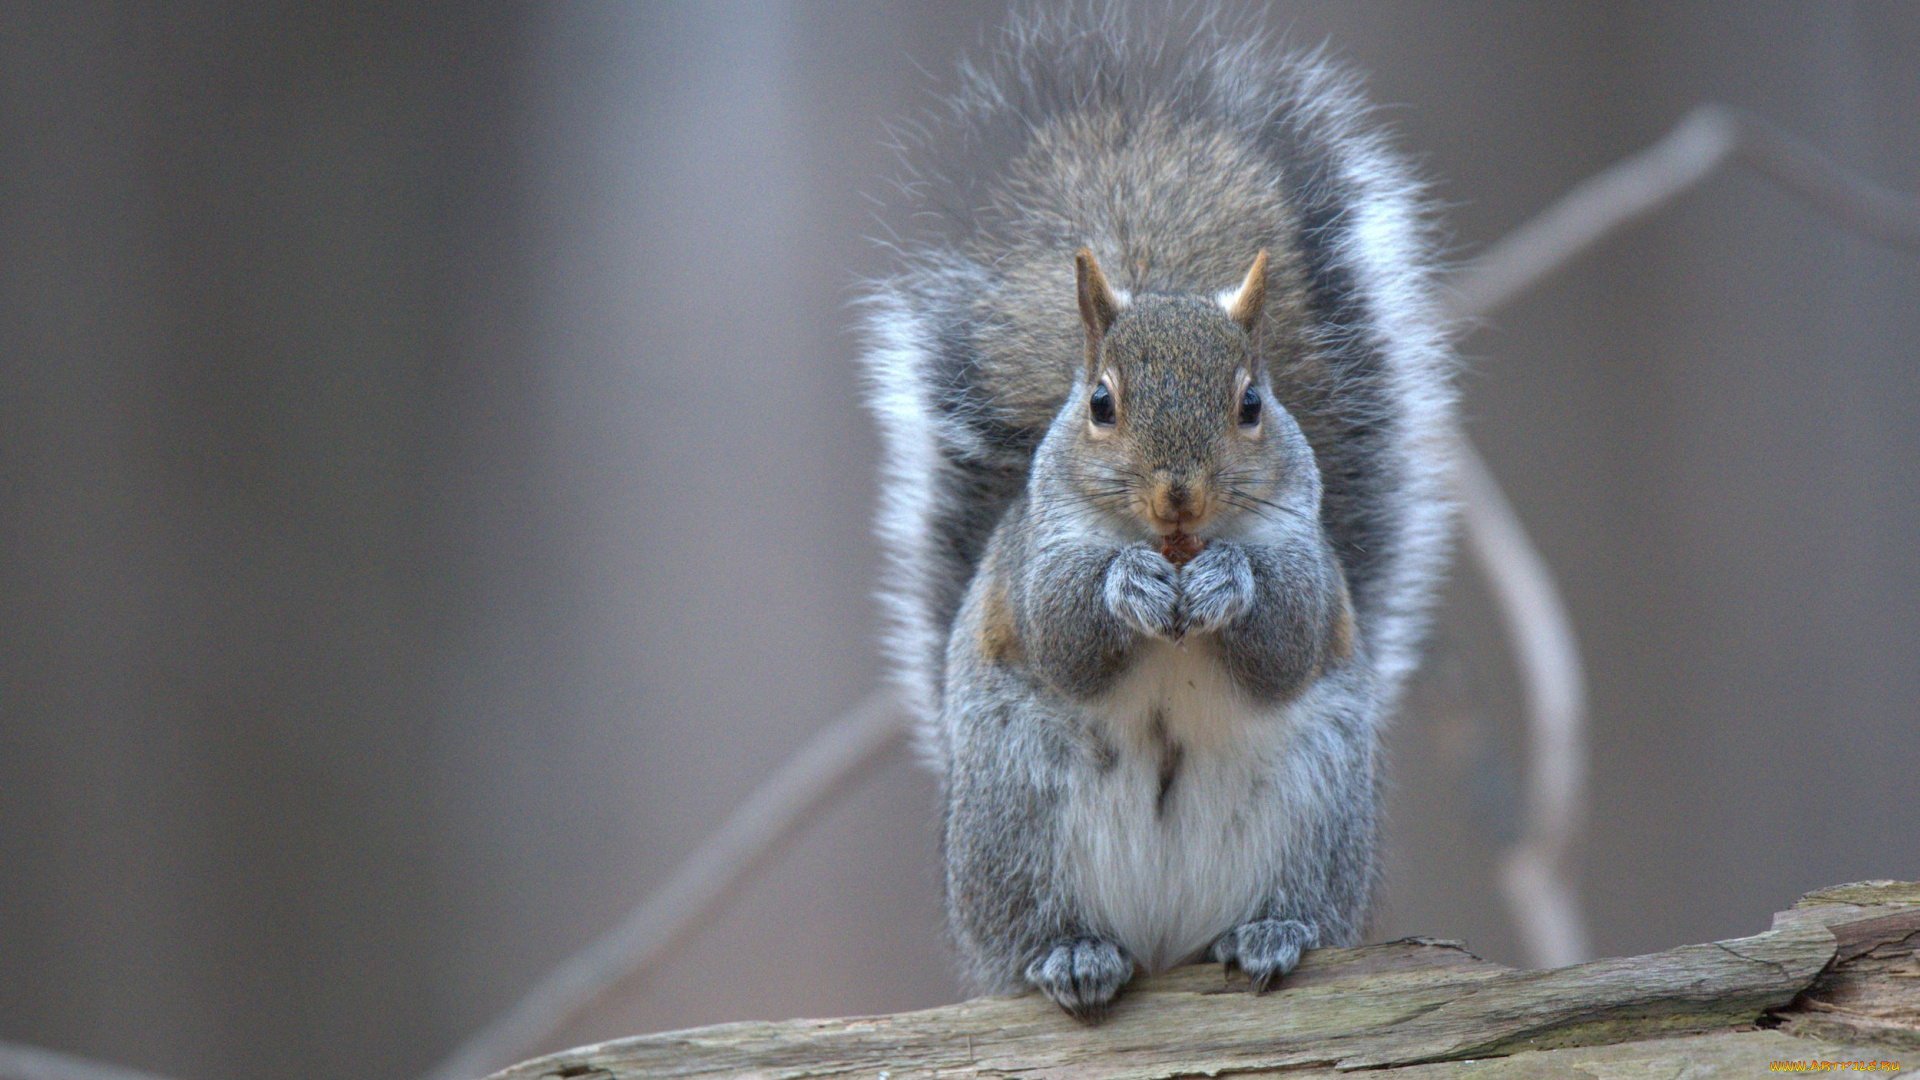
(1174, 422)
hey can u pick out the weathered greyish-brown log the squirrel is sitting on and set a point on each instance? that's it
(1836, 979)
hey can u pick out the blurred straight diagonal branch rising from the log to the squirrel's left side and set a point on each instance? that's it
(700, 887)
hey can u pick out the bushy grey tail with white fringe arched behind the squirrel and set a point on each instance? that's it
(1172, 155)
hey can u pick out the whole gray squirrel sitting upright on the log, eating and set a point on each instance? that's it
(1164, 401)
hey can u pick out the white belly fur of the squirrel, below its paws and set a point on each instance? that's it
(1166, 885)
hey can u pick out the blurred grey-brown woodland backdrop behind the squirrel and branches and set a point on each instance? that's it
(435, 489)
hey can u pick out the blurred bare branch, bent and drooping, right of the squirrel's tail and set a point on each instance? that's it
(1535, 871)
